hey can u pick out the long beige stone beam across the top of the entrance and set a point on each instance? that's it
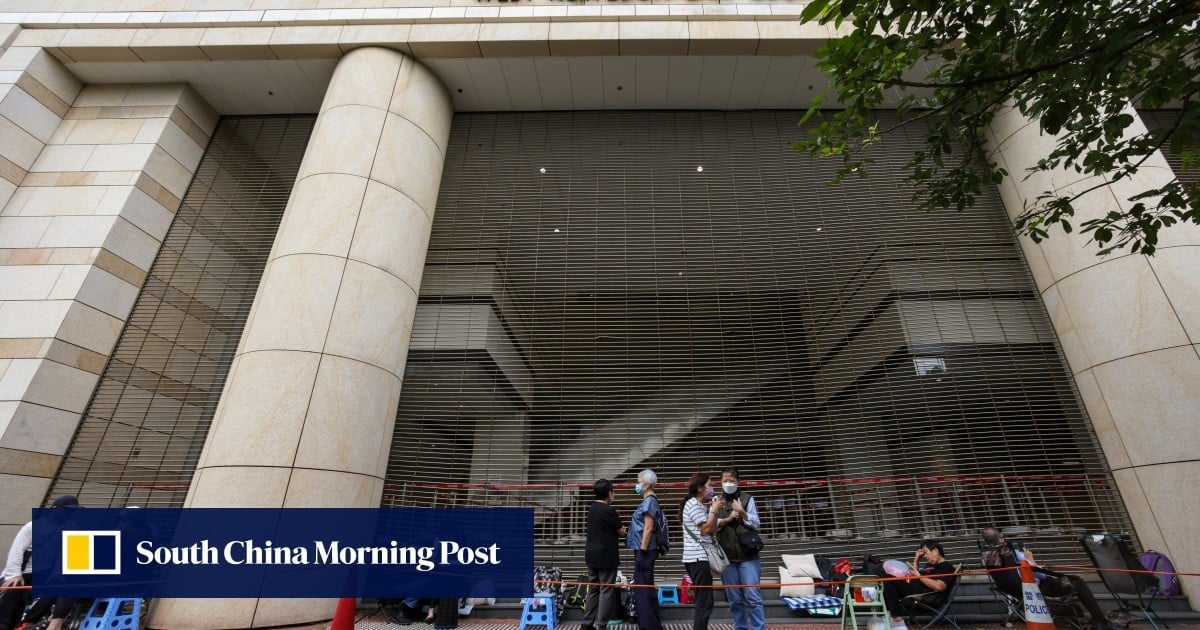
(557, 29)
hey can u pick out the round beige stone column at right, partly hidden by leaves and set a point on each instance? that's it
(1130, 327)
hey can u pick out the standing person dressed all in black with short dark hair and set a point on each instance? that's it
(603, 557)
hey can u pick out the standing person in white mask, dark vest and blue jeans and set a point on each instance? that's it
(735, 513)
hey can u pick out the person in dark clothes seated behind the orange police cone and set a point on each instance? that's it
(999, 553)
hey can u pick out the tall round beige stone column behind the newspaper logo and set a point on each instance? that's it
(308, 412)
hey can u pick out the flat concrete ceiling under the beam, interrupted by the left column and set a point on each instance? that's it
(502, 85)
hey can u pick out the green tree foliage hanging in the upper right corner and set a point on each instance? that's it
(1076, 68)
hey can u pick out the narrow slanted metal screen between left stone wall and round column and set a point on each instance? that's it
(147, 423)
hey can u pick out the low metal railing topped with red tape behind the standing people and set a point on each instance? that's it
(833, 507)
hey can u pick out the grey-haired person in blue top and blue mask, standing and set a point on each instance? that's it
(646, 533)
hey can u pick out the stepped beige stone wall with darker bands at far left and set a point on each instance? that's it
(98, 183)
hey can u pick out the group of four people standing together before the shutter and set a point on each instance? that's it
(713, 514)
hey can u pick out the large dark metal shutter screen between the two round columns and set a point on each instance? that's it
(608, 292)
